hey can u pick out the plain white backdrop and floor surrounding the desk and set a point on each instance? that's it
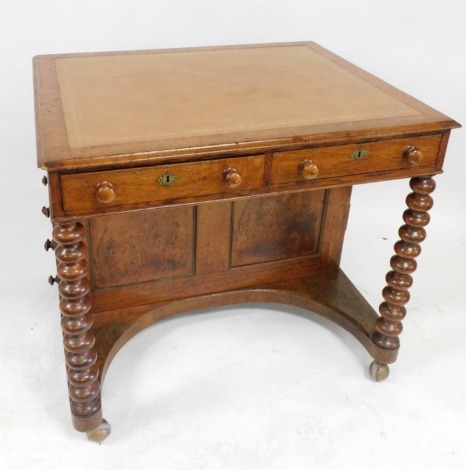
(251, 388)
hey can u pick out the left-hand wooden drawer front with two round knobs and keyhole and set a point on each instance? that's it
(87, 192)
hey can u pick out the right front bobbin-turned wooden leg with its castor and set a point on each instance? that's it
(388, 327)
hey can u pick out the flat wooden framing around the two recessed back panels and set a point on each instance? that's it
(213, 273)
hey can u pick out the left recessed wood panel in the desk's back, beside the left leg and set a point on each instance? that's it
(142, 246)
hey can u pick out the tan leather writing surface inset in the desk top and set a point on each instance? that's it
(115, 99)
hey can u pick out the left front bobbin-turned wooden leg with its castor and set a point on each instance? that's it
(78, 337)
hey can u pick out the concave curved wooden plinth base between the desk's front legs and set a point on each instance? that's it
(331, 295)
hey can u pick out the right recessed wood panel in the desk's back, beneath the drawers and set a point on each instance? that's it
(269, 228)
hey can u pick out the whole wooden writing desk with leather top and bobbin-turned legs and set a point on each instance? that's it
(193, 178)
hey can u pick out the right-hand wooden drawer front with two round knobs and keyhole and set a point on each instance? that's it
(354, 159)
